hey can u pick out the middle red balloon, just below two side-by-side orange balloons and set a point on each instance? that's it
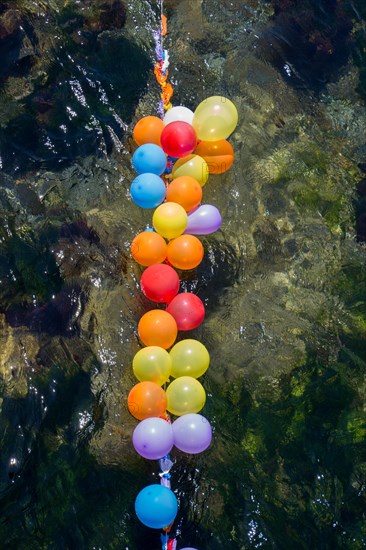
(160, 283)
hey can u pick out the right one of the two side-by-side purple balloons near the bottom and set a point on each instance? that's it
(192, 433)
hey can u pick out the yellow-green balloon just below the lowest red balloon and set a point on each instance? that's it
(189, 358)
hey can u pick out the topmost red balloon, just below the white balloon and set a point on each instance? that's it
(178, 139)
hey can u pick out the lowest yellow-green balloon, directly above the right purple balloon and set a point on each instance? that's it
(185, 395)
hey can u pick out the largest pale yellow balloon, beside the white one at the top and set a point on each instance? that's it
(215, 118)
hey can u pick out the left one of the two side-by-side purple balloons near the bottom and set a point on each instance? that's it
(153, 438)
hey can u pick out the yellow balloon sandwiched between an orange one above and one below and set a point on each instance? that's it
(152, 364)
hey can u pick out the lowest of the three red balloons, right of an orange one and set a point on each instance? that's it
(187, 310)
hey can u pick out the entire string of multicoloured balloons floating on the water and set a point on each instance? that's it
(194, 145)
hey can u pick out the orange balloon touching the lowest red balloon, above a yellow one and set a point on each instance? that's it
(158, 328)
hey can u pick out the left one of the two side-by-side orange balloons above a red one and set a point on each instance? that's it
(148, 248)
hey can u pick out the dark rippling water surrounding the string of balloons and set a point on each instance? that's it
(283, 281)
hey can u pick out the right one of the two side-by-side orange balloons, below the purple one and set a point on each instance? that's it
(185, 252)
